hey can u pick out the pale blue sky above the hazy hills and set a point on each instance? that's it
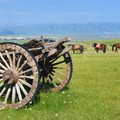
(23, 12)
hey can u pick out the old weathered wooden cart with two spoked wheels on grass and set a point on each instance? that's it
(33, 66)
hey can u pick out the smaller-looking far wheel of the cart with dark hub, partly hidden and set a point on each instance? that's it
(56, 72)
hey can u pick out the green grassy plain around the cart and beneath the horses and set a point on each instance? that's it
(92, 94)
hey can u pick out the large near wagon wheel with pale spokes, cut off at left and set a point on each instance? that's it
(19, 76)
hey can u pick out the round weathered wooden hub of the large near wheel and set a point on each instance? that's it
(10, 76)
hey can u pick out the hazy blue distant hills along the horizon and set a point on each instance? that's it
(84, 31)
